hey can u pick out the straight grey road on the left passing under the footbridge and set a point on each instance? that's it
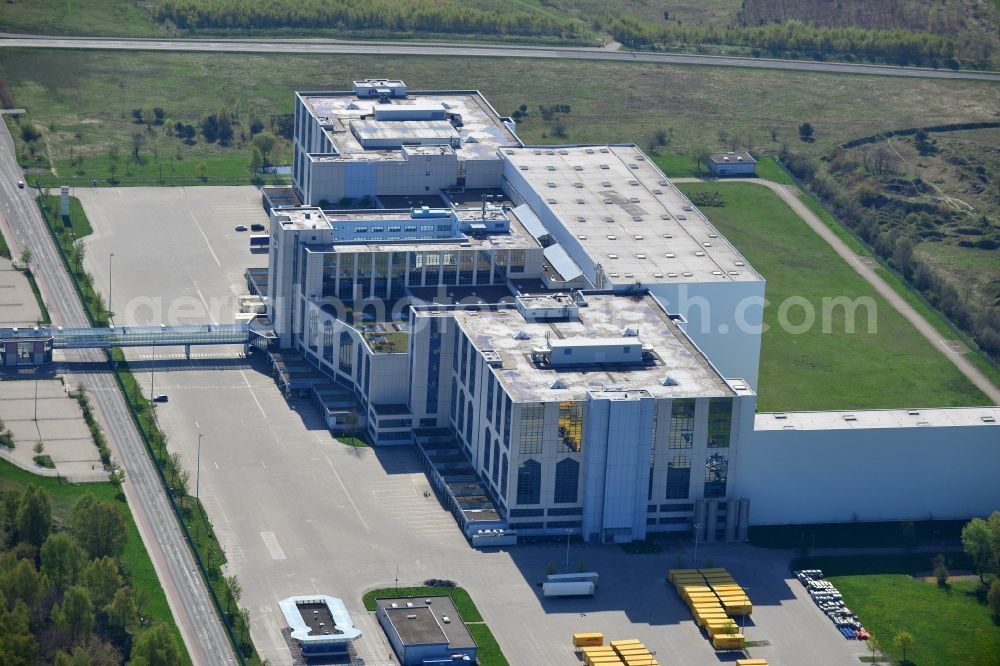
(186, 592)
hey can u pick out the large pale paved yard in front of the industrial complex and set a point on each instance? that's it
(300, 513)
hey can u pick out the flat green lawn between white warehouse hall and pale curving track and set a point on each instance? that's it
(893, 367)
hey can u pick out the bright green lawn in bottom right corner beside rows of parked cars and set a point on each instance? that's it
(949, 626)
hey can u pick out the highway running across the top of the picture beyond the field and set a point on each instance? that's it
(317, 46)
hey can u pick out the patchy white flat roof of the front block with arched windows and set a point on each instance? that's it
(604, 316)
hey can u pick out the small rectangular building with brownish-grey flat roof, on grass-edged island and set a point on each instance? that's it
(425, 631)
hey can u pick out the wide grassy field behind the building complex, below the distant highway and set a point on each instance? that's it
(82, 101)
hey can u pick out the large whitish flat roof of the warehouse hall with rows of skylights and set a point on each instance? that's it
(627, 216)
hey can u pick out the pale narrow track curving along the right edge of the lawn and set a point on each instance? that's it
(790, 195)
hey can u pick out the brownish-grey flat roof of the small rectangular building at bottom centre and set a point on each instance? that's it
(423, 621)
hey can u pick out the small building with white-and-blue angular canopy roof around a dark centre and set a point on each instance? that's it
(320, 625)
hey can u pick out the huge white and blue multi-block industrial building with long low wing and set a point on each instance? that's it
(569, 342)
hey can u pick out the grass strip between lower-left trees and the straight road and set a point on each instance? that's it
(135, 560)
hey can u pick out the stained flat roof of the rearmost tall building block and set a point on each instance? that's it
(480, 135)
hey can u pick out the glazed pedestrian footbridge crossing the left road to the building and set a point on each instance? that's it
(30, 346)
